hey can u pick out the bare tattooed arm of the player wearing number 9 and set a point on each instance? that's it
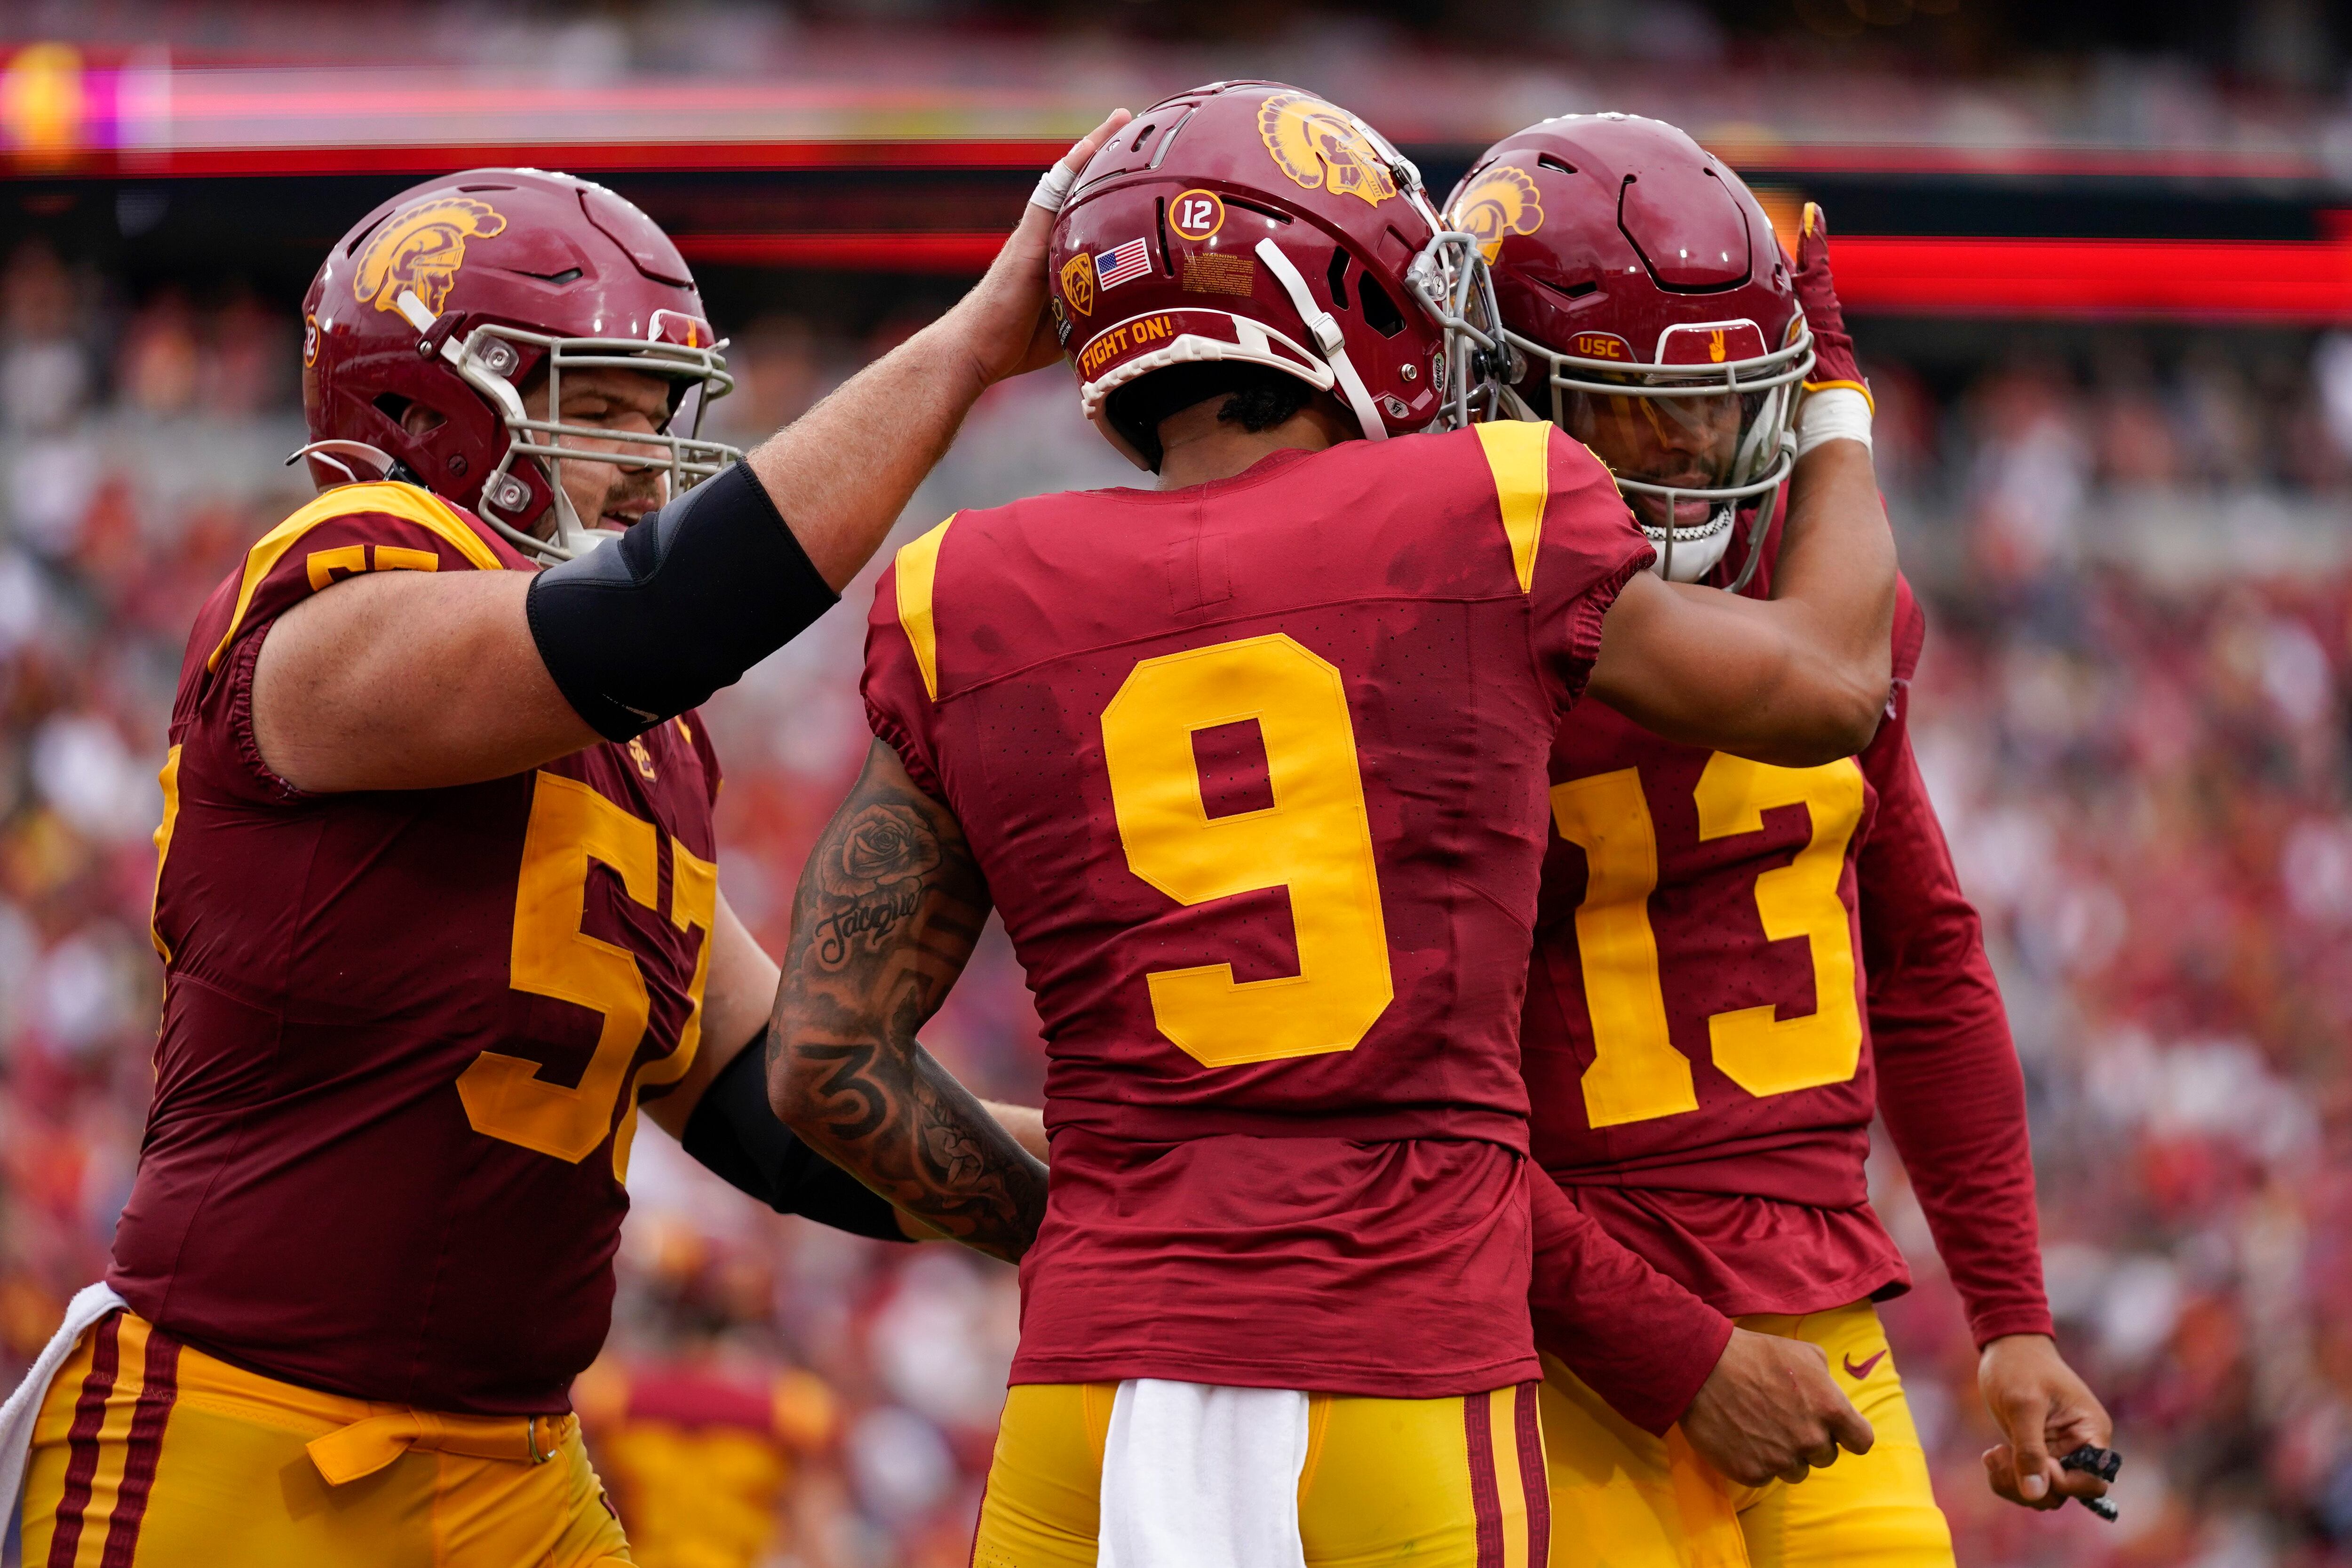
(888, 913)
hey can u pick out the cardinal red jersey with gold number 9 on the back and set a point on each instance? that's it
(1257, 775)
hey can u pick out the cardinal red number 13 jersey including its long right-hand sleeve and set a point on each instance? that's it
(1718, 942)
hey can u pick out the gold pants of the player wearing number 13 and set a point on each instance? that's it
(1624, 1499)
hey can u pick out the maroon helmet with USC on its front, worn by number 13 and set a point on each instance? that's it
(1655, 311)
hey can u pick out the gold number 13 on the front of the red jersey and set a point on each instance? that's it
(1636, 1071)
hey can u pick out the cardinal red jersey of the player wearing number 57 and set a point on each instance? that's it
(406, 1033)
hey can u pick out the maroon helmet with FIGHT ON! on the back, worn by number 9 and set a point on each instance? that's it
(1257, 225)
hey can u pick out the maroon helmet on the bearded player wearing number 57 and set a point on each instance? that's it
(457, 293)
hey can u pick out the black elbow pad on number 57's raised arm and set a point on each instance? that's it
(681, 605)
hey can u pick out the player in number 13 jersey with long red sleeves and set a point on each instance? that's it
(1737, 963)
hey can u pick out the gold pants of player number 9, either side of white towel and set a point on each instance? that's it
(1394, 1482)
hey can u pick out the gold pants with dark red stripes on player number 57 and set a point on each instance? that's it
(161, 1456)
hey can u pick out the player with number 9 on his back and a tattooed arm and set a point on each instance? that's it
(1252, 768)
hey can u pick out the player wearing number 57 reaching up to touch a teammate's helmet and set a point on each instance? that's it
(439, 894)
